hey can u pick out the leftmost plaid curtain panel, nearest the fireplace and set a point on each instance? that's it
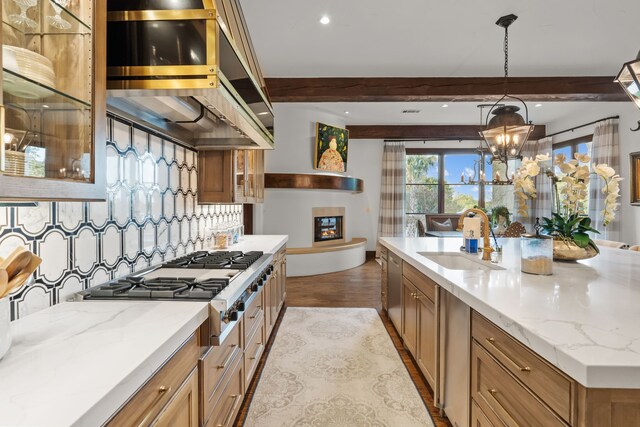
(391, 218)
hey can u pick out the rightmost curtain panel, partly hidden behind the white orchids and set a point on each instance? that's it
(605, 148)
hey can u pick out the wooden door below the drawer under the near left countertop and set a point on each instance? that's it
(182, 410)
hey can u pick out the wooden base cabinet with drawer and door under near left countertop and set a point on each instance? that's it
(167, 395)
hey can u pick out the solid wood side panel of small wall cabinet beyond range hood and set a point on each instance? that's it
(216, 177)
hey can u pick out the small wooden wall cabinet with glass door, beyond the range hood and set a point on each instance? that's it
(231, 176)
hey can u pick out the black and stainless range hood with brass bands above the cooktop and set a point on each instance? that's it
(173, 66)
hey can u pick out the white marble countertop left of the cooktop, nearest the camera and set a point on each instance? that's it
(76, 363)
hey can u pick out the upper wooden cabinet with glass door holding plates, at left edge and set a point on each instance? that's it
(53, 102)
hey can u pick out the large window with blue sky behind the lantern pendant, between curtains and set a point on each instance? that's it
(438, 181)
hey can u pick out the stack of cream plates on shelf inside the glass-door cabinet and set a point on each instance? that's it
(30, 65)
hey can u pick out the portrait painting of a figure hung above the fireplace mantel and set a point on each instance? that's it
(331, 148)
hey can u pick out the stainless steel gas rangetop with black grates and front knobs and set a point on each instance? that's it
(228, 280)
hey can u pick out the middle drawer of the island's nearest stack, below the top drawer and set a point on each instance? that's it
(494, 389)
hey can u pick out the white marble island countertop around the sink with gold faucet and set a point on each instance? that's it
(583, 319)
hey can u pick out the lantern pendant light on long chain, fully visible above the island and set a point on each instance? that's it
(504, 130)
